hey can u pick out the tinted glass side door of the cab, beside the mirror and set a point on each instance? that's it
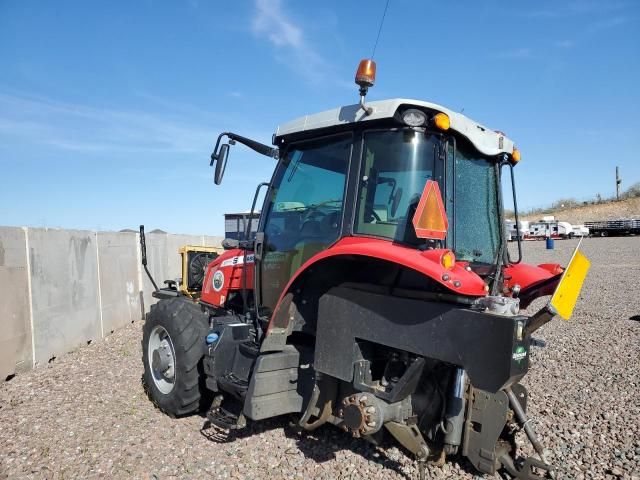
(303, 214)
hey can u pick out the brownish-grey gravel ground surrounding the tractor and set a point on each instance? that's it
(86, 415)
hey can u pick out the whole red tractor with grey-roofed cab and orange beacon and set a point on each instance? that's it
(377, 295)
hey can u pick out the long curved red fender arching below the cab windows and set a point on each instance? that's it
(457, 279)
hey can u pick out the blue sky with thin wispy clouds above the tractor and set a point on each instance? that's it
(109, 110)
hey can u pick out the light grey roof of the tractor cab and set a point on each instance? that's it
(487, 141)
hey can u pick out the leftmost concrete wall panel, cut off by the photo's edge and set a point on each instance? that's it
(15, 334)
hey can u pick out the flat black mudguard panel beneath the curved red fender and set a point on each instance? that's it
(485, 345)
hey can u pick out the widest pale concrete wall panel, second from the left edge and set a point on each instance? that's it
(64, 288)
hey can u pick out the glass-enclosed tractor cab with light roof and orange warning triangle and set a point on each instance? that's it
(359, 174)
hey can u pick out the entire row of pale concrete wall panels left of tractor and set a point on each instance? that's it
(60, 289)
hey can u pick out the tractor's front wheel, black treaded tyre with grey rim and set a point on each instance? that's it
(173, 345)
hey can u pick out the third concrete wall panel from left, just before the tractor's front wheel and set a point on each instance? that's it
(119, 283)
